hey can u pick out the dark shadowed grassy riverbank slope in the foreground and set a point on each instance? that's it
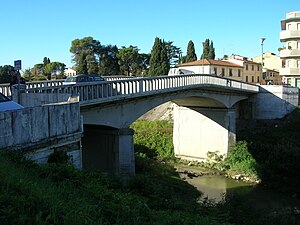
(59, 194)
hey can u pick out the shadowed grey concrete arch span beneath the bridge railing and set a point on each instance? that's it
(121, 114)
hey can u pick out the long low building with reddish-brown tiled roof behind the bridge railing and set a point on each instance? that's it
(209, 66)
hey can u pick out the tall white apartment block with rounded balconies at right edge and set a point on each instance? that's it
(290, 53)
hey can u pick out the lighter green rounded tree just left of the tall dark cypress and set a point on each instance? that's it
(128, 60)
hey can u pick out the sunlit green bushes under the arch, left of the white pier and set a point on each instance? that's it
(154, 138)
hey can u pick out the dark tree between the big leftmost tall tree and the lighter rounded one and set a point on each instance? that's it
(108, 61)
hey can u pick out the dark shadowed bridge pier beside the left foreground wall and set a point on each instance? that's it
(108, 150)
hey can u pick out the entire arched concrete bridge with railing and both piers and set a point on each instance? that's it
(205, 112)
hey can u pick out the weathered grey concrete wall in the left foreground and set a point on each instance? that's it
(41, 130)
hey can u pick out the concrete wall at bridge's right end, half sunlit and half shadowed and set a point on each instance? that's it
(275, 101)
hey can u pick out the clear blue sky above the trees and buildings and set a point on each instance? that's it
(34, 29)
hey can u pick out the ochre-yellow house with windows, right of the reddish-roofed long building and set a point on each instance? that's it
(251, 73)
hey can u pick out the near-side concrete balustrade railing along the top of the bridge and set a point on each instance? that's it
(142, 86)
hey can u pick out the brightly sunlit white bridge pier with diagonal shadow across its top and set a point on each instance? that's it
(198, 131)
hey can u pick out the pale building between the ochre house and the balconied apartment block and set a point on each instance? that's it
(271, 67)
